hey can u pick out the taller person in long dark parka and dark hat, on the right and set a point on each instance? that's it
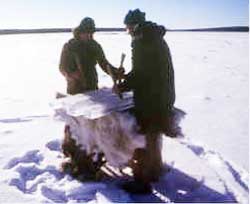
(152, 82)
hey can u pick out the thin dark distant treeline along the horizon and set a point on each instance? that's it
(66, 30)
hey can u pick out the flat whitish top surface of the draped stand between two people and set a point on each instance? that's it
(94, 104)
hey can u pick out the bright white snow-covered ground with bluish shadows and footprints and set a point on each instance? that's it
(209, 165)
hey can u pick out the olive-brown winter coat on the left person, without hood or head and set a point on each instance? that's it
(81, 57)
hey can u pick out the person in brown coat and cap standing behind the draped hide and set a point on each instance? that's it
(79, 58)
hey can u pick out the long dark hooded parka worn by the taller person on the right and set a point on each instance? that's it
(152, 76)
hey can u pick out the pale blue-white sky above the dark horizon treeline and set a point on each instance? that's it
(110, 13)
